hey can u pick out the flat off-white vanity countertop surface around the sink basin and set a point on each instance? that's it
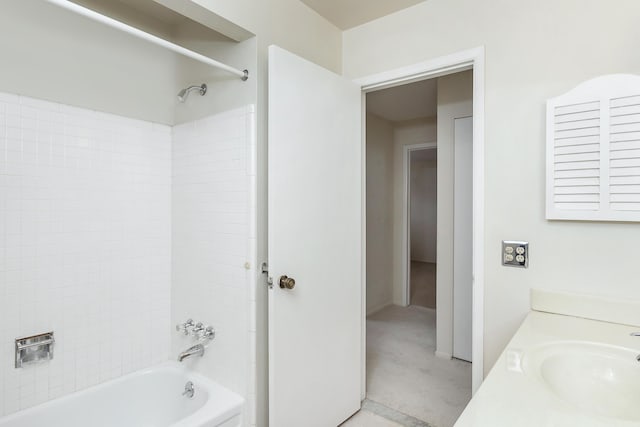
(510, 397)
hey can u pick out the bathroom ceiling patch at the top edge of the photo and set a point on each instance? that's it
(346, 14)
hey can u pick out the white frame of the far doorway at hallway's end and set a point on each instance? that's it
(406, 215)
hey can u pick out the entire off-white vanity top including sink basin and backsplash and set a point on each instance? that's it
(520, 388)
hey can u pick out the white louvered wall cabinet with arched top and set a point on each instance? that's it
(593, 151)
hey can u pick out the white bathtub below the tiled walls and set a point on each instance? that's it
(148, 398)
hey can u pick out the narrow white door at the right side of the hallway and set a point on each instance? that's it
(462, 237)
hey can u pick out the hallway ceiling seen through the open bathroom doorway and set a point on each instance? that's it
(406, 102)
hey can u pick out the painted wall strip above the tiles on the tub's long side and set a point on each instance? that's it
(53, 54)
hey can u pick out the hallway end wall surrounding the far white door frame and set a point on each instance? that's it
(418, 131)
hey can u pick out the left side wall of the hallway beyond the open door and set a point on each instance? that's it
(379, 213)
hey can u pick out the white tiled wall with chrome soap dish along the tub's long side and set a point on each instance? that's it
(85, 229)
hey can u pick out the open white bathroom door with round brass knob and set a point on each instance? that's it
(315, 227)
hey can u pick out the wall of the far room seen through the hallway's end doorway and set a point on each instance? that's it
(423, 214)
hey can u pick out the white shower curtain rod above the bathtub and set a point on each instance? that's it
(80, 10)
